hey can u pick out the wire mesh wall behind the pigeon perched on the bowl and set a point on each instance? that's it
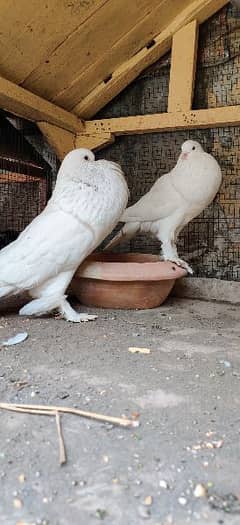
(211, 242)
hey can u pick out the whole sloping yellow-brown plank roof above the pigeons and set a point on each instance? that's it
(80, 53)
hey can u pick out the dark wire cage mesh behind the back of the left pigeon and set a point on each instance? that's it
(25, 181)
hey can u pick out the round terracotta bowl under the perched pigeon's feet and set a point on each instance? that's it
(126, 280)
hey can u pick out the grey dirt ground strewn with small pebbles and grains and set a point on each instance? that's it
(186, 390)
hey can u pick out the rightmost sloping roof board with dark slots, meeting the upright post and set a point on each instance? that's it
(127, 72)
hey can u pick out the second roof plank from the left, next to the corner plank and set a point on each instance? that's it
(88, 43)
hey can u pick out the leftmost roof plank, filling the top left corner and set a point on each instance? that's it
(32, 29)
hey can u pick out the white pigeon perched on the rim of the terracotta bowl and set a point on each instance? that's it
(174, 200)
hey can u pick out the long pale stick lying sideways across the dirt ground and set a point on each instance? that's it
(51, 410)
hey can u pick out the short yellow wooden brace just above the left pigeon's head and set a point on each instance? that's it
(62, 141)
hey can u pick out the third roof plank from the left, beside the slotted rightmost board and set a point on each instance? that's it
(138, 37)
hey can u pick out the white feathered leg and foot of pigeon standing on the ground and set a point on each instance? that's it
(51, 296)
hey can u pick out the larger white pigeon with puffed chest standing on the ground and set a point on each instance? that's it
(86, 204)
